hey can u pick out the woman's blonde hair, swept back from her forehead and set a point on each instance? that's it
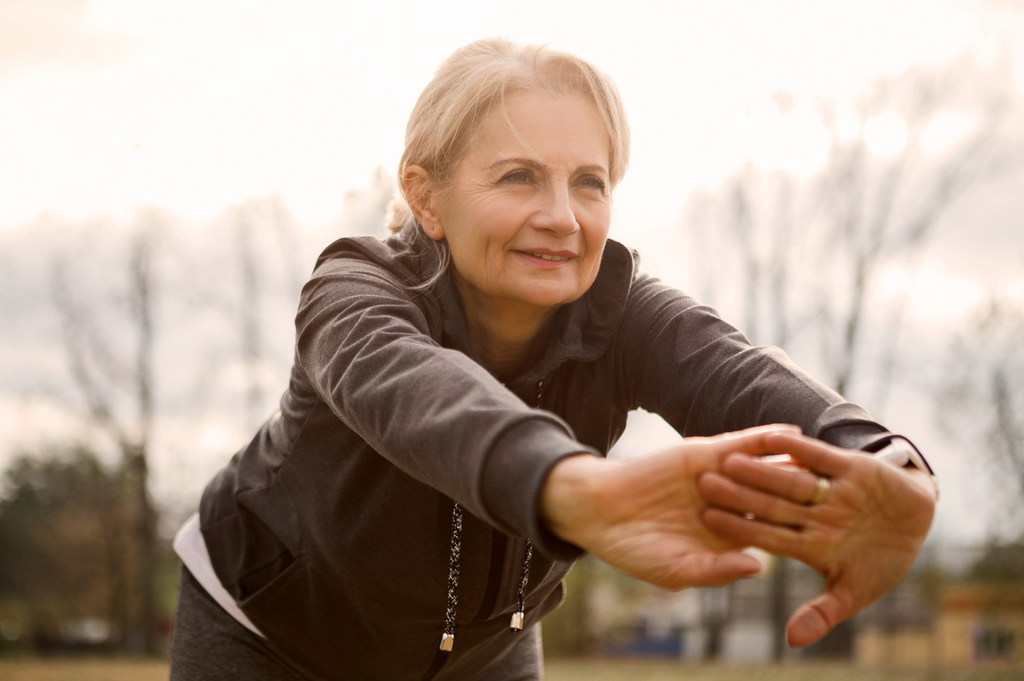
(478, 77)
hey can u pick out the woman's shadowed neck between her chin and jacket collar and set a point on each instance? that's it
(508, 339)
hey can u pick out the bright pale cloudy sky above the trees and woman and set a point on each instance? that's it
(197, 105)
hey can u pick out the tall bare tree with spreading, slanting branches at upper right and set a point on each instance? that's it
(877, 210)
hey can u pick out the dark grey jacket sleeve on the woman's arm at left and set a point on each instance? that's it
(367, 350)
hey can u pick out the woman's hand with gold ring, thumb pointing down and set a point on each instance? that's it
(863, 539)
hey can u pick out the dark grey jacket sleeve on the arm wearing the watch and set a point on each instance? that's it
(704, 377)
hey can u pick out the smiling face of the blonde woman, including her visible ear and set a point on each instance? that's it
(529, 211)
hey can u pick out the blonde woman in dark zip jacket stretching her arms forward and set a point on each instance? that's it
(438, 461)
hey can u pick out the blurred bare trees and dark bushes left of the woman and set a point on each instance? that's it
(158, 324)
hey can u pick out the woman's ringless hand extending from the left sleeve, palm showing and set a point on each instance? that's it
(642, 517)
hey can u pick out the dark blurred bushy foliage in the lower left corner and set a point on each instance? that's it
(69, 560)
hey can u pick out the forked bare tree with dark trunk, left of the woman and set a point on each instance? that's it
(117, 384)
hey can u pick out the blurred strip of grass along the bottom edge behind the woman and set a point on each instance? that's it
(590, 670)
